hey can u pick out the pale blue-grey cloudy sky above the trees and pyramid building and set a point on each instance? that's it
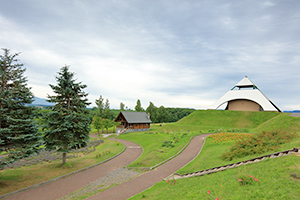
(171, 52)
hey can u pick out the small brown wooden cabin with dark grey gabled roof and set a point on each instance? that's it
(132, 122)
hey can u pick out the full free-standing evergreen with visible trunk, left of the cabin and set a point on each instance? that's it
(68, 124)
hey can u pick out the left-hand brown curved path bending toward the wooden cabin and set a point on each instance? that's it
(65, 186)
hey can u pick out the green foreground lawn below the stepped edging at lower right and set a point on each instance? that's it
(278, 179)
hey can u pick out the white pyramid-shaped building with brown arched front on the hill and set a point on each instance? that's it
(245, 96)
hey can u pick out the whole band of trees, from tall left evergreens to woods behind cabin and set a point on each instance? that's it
(62, 127)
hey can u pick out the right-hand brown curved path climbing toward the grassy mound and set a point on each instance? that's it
(148, 179)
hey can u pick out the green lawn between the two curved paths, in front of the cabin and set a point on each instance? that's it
(153, 152)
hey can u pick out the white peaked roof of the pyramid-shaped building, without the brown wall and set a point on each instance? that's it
(253, 94)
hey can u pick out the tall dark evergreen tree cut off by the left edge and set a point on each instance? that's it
(19, 135)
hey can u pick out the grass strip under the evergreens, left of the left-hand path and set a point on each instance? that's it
(15, 179)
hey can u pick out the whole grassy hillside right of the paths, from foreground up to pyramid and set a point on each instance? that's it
(273, 178)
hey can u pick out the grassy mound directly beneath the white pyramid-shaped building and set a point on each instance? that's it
(220, 120)
